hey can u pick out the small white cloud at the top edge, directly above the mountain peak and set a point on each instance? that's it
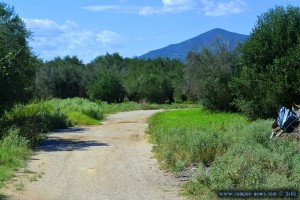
(223, 8)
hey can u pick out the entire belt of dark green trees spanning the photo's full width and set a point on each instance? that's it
(255, 79)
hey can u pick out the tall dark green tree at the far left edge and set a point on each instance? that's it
(17, 62)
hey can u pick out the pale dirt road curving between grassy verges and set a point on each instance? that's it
(111, 161)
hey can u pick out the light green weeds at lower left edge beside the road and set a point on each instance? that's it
(13, 153)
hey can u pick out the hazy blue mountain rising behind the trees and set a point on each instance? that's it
(196, 44)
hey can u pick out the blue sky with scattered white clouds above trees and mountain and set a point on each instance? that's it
(89, 28)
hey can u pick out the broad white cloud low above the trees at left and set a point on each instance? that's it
(52, 40)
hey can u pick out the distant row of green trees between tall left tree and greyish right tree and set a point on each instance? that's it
(111, 78)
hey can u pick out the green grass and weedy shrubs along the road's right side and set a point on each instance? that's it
(238, 152)
